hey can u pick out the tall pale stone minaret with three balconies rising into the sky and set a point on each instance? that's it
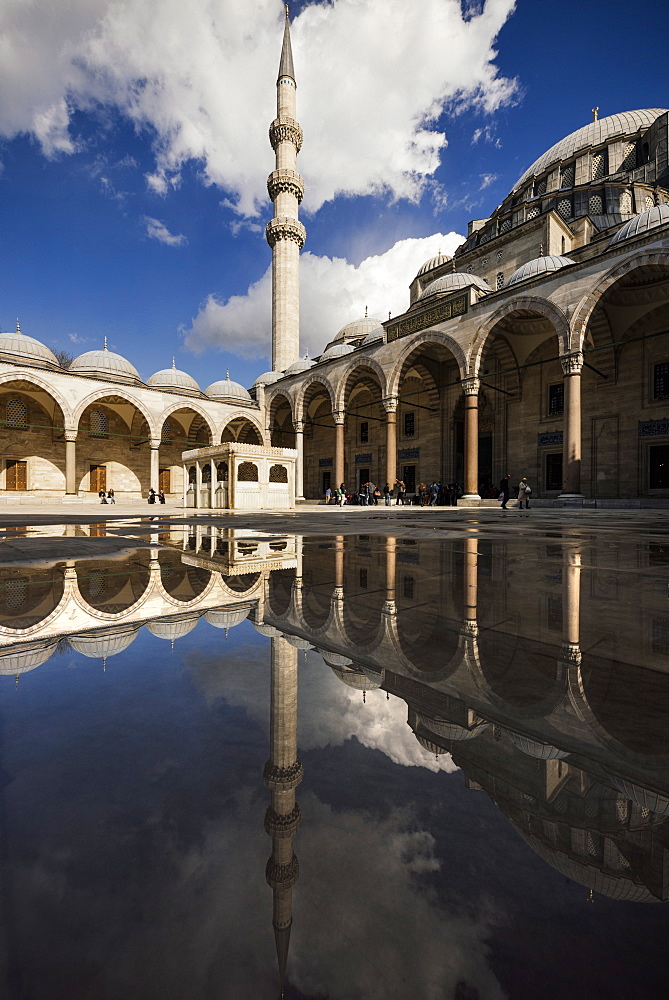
(285, 233)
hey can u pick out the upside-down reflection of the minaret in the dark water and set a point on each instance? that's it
(283, 773)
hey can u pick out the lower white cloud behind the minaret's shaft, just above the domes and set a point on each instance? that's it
(332, 292)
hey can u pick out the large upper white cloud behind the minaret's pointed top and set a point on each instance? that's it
(199, 78)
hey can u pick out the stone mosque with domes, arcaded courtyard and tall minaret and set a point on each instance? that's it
(540, 349)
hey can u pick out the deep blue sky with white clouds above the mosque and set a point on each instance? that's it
(134, 155)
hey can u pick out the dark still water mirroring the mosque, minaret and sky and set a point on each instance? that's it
(465, 742)
